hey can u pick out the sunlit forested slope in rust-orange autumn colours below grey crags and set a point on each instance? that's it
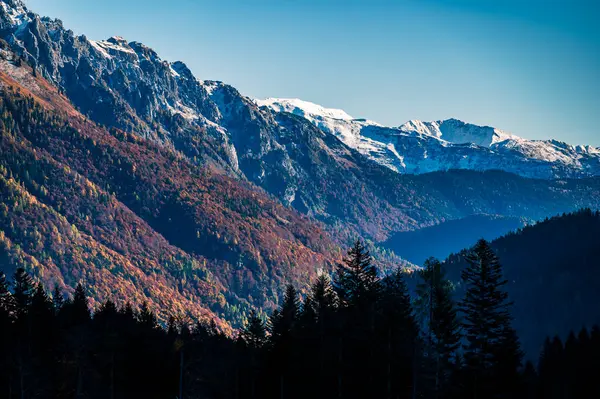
(136, 219)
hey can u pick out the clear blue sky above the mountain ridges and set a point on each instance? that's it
(529, 67)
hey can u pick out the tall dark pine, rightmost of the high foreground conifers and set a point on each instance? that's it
(492, 352)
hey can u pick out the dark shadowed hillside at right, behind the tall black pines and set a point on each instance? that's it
(553, 273)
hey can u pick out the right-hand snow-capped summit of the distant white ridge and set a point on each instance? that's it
(457, 132)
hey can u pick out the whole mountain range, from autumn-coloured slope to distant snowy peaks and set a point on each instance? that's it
(126, 171)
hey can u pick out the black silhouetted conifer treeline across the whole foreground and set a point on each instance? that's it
(356, 335)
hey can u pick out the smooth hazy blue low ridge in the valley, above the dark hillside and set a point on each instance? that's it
(442, 240)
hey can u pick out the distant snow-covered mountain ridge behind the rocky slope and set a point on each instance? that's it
(422, 147)
